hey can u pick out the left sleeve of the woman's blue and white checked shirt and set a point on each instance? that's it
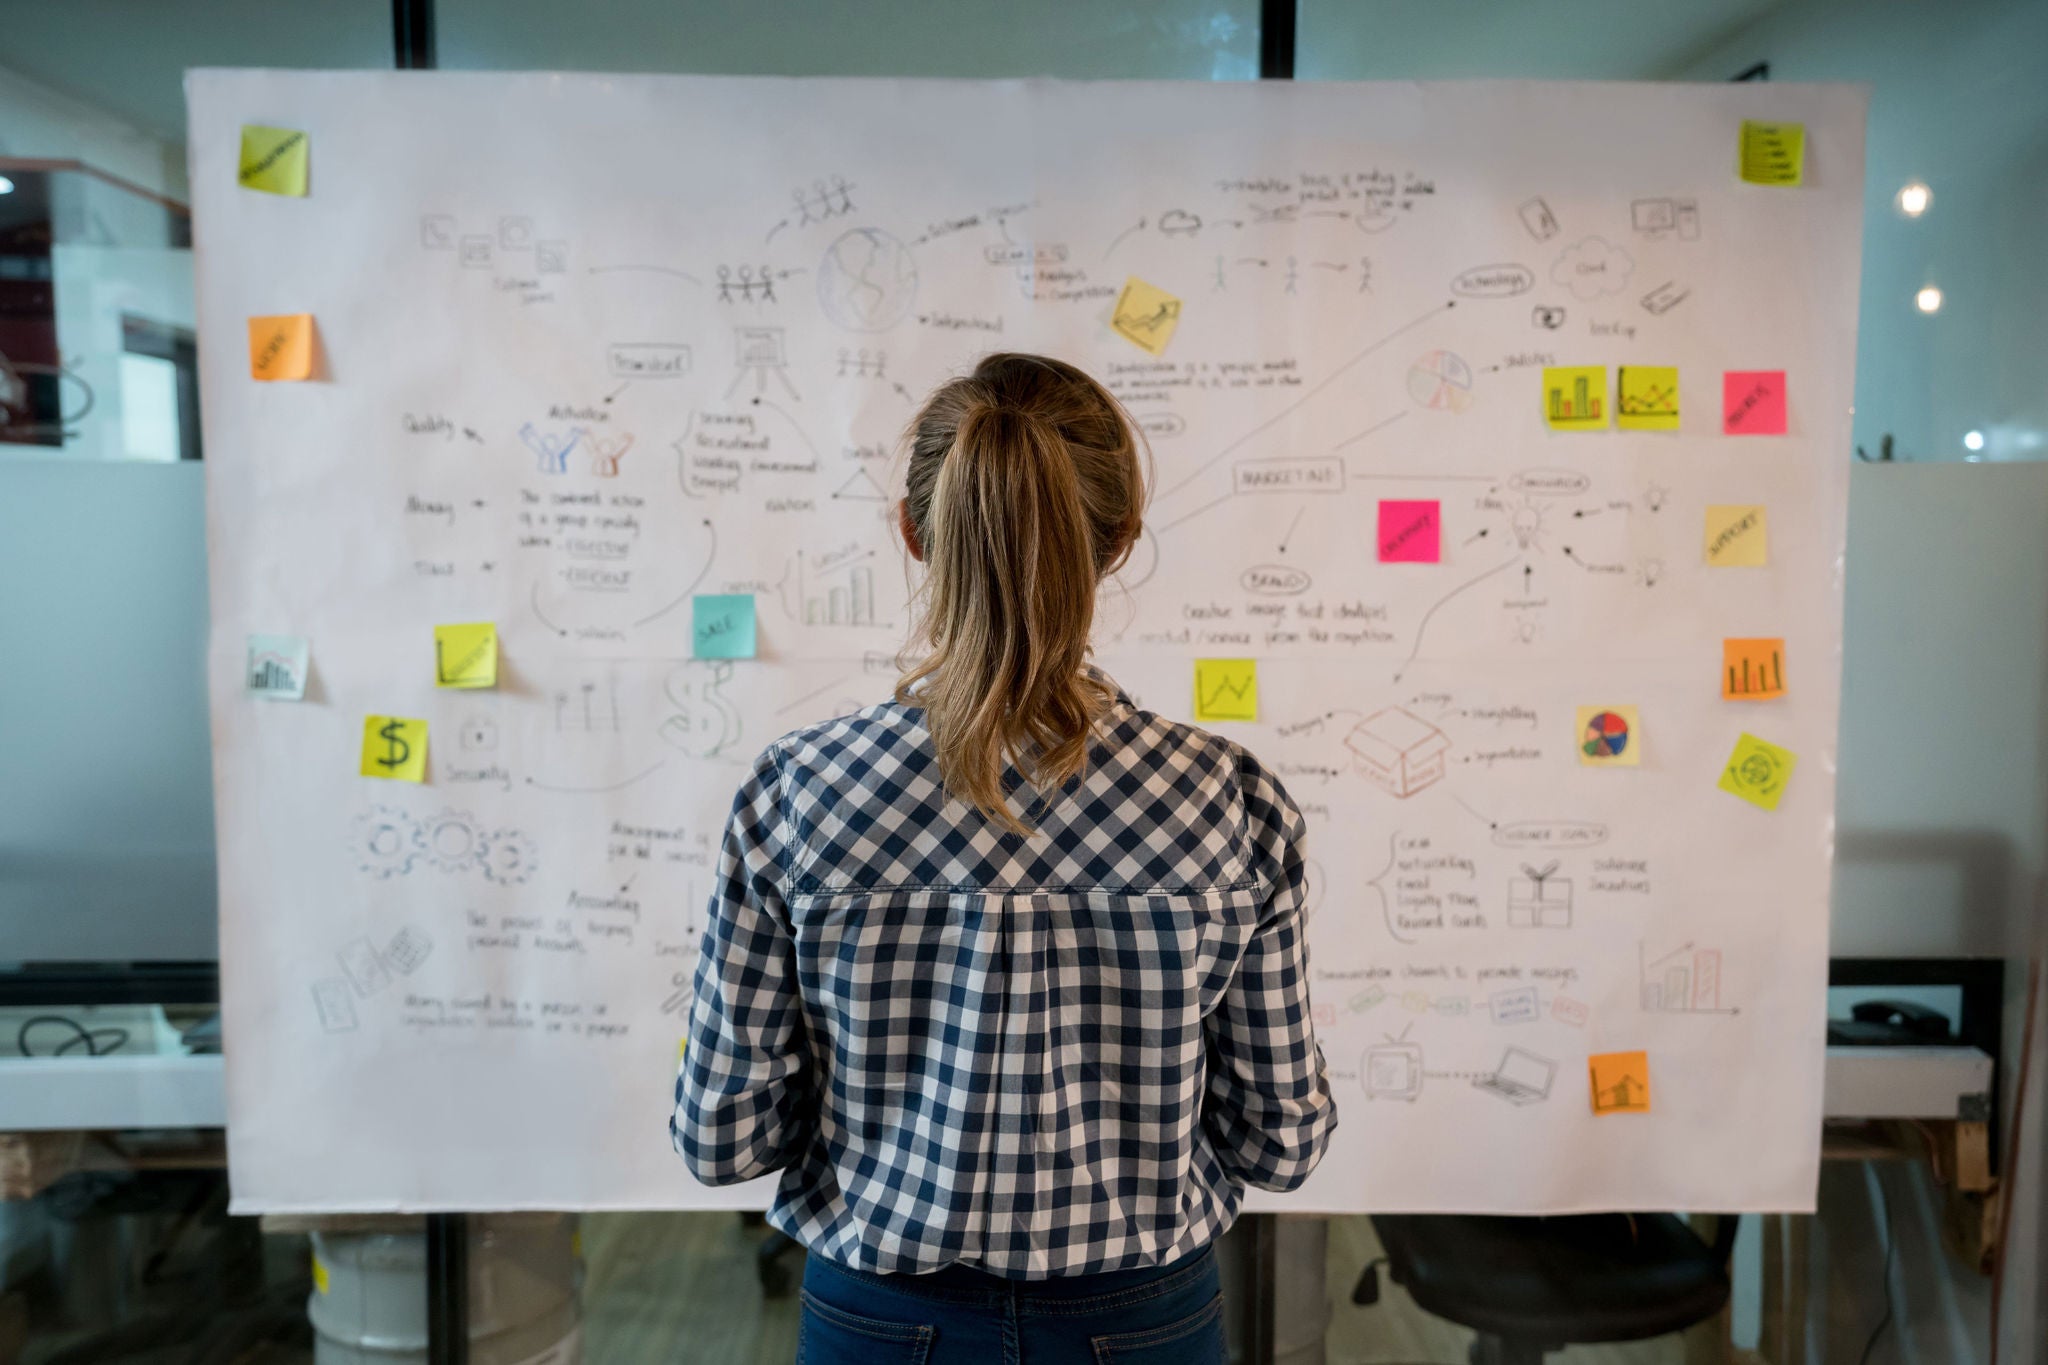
(744, 1098)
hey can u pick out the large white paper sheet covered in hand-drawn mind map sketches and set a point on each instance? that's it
(1455, 513)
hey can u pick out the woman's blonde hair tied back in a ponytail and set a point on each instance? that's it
(1025, 492)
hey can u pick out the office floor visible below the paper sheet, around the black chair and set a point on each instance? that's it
(663, 1288)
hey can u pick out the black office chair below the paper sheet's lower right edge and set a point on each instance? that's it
(1531, 1286)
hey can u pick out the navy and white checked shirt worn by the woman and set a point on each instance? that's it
(1046, 1055)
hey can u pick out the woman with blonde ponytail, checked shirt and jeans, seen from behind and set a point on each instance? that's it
(1007, 975)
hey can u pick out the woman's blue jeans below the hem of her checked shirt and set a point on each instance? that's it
(1164, 1315)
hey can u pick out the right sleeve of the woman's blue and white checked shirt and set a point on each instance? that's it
(1269, 1112)
